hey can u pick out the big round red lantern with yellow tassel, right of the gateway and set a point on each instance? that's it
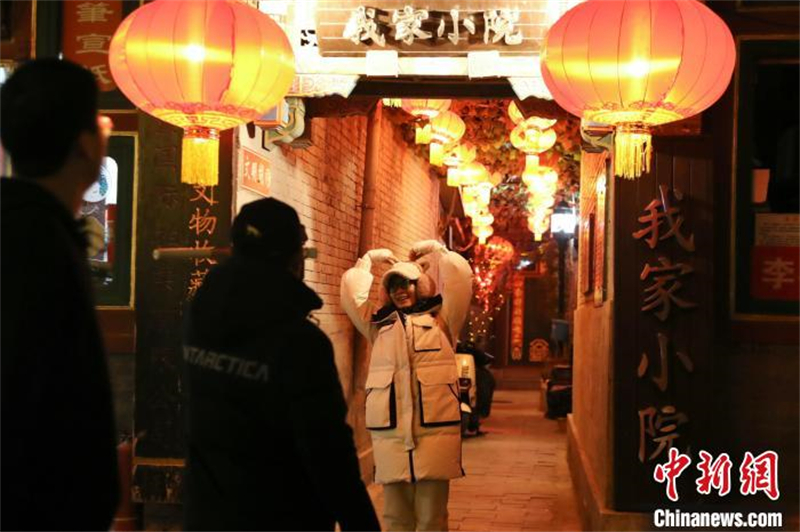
(625, 63)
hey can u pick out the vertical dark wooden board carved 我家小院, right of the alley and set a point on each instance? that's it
(663, 283)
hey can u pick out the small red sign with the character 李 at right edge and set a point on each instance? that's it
(775, 273)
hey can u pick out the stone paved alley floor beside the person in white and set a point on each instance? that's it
(517, 475)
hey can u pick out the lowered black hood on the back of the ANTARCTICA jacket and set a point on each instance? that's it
(242, 298)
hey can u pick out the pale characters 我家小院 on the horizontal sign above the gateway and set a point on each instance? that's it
(407, 25)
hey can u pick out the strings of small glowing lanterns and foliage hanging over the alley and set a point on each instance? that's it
(508, 167)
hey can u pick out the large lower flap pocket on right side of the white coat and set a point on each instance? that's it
(438, 398)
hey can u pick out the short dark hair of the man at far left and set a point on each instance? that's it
(44, 107)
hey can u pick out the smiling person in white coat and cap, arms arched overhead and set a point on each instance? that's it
(412, 407)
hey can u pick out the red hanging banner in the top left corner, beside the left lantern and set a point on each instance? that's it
(88, 28)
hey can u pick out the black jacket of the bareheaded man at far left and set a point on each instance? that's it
(58, 463)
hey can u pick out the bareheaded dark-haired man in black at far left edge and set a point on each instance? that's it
(58, 465)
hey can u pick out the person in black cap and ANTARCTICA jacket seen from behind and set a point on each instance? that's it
(268, 447)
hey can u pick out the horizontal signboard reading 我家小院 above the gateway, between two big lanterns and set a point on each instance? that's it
(439, 27)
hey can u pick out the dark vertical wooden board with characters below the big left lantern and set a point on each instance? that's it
(170, 214)
